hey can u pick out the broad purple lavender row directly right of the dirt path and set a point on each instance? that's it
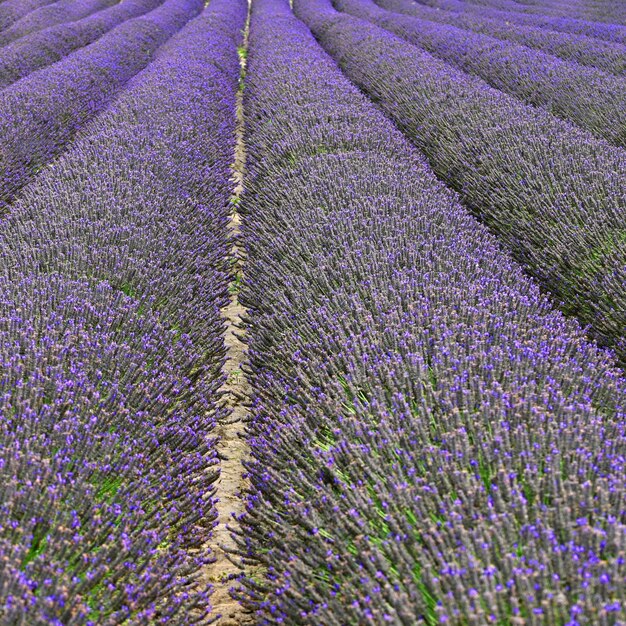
(431, 442)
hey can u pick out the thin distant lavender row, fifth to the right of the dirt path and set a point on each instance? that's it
(607, 32)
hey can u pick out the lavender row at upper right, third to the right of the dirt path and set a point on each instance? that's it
(587, 97)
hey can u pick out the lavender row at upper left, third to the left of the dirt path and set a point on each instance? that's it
(45, 47)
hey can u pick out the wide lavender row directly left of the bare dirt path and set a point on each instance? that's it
(114, 271)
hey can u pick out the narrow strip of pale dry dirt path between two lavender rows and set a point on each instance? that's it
(232, 447)
